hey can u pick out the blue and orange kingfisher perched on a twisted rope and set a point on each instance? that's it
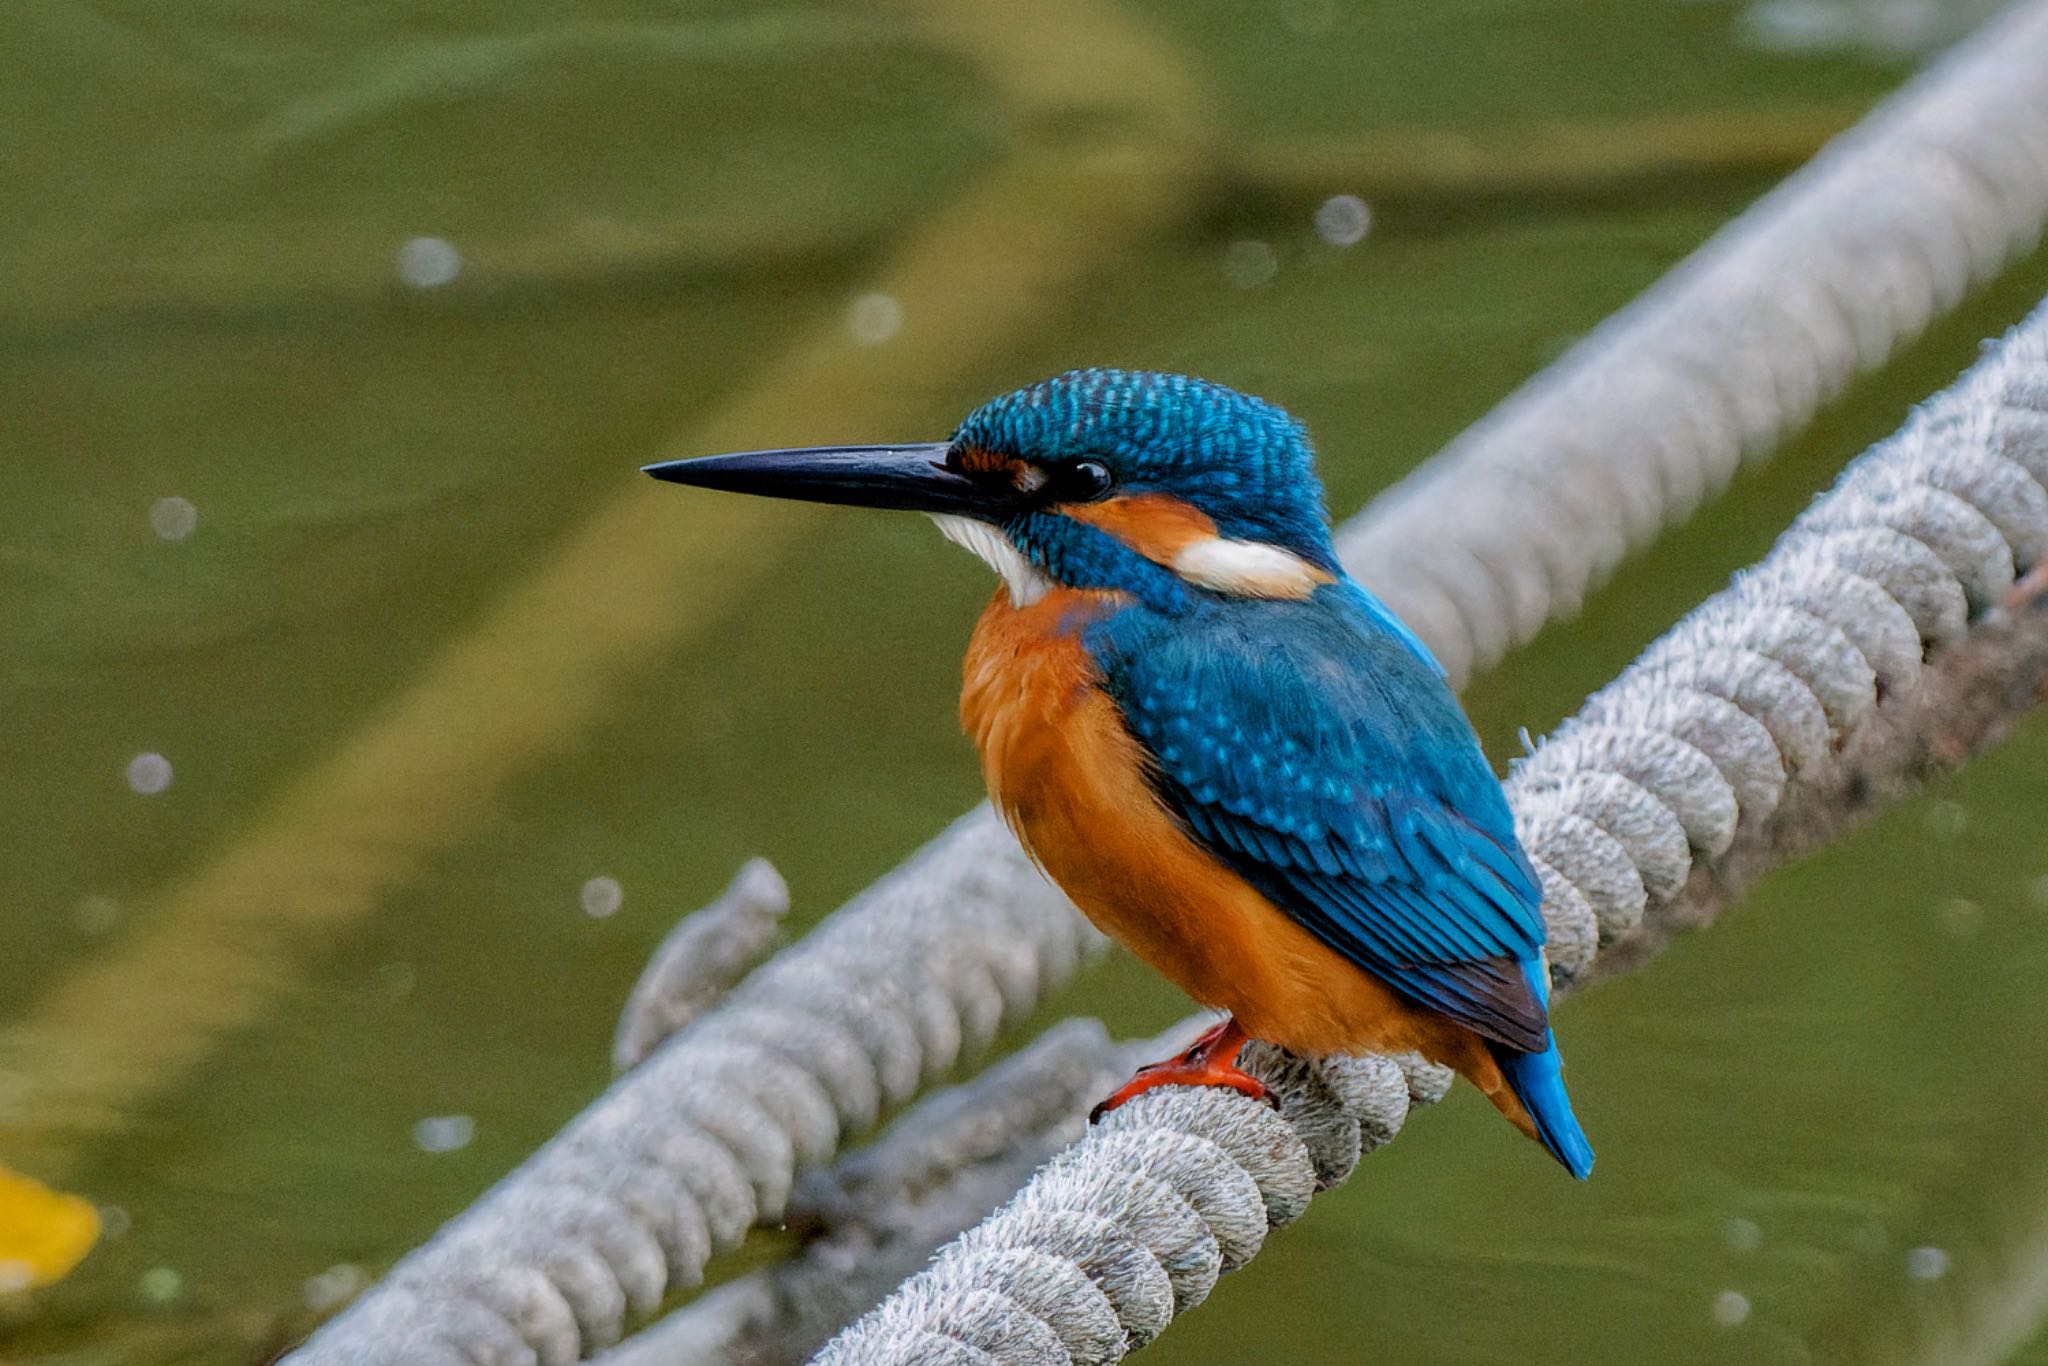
(1232, 757)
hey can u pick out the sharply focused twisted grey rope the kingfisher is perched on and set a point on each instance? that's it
(1719, 726)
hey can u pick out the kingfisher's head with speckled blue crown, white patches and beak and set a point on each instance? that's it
(1158, 486)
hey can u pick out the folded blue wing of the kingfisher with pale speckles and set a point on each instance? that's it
(1316, 751)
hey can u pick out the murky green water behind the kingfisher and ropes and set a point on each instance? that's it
(200, 300)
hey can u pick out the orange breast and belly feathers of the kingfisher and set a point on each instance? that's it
(1070, 781)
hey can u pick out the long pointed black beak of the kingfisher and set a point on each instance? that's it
(906, 478)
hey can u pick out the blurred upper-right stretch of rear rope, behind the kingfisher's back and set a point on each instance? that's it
(1857, 253)
